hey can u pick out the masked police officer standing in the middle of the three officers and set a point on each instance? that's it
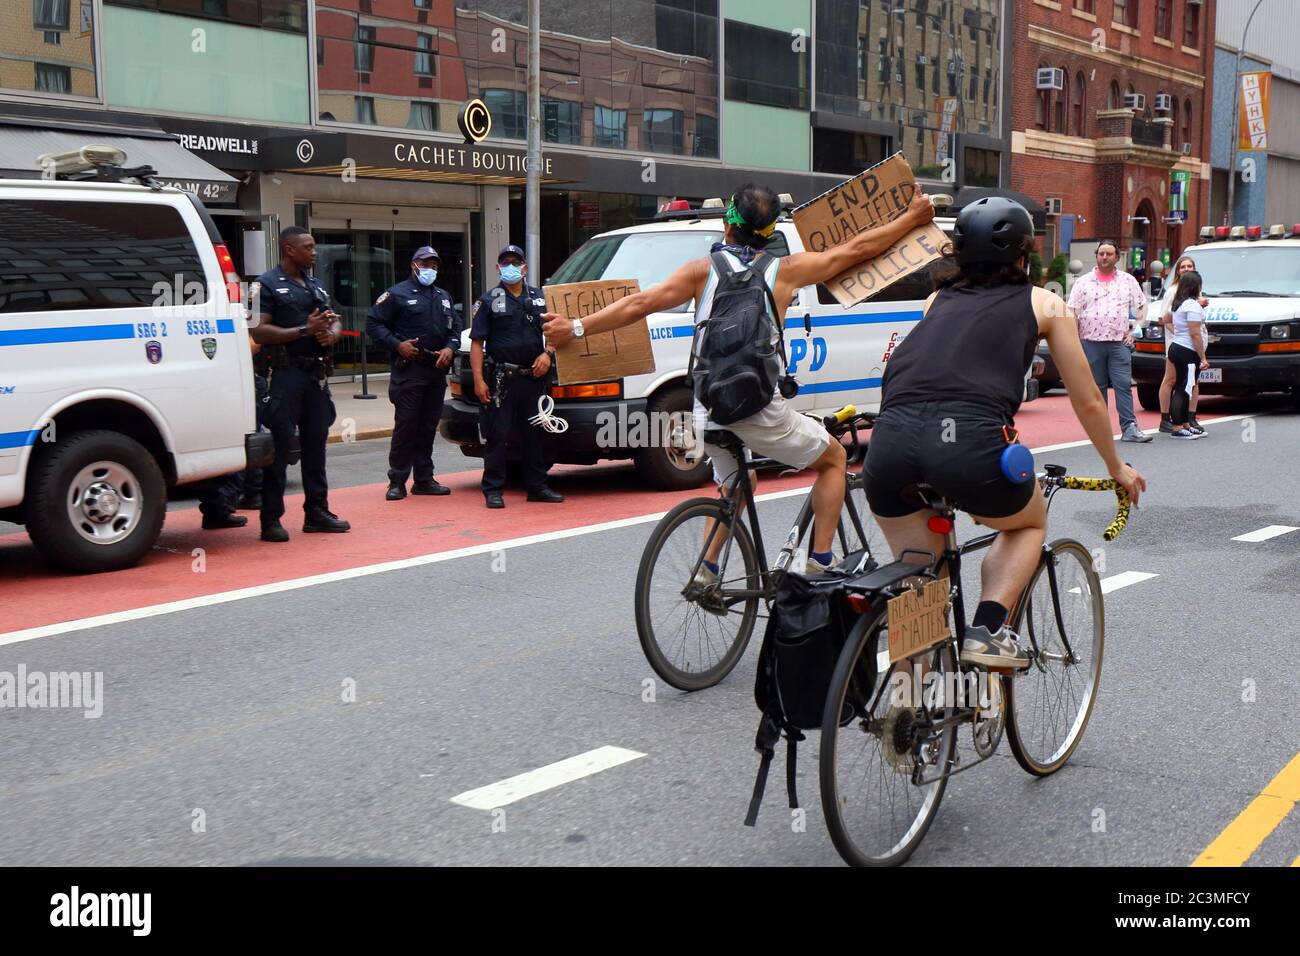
(417, 323)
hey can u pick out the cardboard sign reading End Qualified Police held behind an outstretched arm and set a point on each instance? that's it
(870, 200)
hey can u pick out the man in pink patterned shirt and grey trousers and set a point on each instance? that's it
(1106, 302)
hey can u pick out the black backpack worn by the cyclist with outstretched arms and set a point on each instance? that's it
(734, 367)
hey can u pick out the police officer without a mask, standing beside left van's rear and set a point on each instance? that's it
(298, 330)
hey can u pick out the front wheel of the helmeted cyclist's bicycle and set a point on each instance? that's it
(1050, 704)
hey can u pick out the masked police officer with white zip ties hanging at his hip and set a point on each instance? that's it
(513, 378)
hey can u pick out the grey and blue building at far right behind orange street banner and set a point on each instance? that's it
(1268, 185)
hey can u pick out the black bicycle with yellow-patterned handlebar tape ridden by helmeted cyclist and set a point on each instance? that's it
(894, 710)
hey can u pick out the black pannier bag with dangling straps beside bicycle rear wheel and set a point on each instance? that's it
(807, 630)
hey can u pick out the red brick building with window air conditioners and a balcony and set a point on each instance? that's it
(1121, 141)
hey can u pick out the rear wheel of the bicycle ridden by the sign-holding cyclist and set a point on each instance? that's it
(670, 555)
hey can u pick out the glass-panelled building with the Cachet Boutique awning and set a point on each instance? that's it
(344, 115)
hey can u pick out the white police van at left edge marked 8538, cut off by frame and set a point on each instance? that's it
(124, 358)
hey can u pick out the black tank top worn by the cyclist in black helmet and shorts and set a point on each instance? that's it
(974, 345)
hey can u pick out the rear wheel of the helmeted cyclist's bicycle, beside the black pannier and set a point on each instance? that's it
(842, 742)
